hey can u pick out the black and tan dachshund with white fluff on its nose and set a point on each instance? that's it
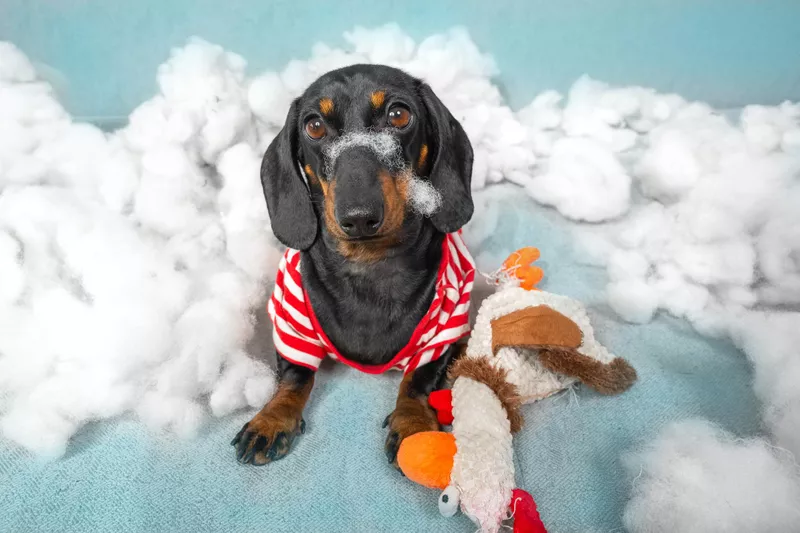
(336, 181)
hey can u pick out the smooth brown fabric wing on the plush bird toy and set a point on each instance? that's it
(533, 327)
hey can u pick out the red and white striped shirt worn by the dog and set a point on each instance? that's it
(299, 338)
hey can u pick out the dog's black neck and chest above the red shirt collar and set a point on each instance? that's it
(369, 310)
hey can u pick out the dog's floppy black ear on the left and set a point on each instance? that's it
(288, 199)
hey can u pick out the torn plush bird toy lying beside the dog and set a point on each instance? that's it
(526, 345)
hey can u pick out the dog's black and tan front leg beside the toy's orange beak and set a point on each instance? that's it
(412, 414)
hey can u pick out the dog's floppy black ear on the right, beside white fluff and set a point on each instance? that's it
(451, 173)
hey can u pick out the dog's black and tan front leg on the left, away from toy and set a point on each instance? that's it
(270, 434)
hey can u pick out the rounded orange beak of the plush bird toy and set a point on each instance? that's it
(427, 458)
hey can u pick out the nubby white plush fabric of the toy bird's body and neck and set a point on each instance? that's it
(483, 467)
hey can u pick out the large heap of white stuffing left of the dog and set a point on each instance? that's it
(137, 254)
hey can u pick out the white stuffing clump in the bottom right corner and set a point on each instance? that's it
(697, 478)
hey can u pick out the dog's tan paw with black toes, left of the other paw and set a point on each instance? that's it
(268, 436)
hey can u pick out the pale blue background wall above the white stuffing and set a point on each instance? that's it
(728, 52)
